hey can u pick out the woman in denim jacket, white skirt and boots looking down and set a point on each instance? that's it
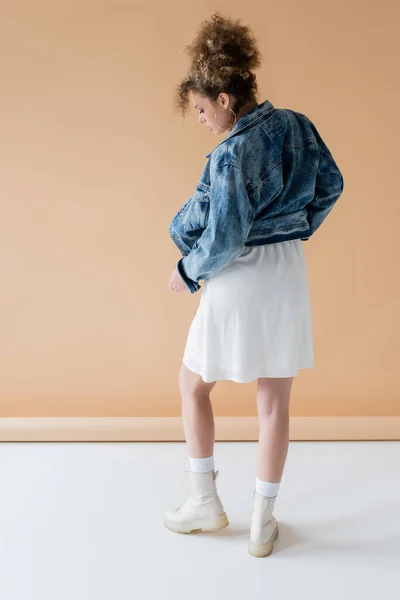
(266, 187)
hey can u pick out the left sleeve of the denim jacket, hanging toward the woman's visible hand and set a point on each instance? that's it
(229, 221)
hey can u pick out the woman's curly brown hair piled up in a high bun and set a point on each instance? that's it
(222, 55)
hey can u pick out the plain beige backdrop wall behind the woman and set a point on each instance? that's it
(94, 165)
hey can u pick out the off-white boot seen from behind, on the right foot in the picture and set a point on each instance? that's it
(264, 528)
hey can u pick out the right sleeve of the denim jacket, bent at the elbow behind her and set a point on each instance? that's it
(328, 185)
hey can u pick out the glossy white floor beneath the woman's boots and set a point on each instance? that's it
(84, 522)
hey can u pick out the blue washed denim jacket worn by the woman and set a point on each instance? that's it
(271, 179)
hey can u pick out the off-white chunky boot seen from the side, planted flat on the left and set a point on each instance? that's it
(202, 510)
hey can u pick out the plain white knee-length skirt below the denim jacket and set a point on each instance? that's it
(254, 317)
